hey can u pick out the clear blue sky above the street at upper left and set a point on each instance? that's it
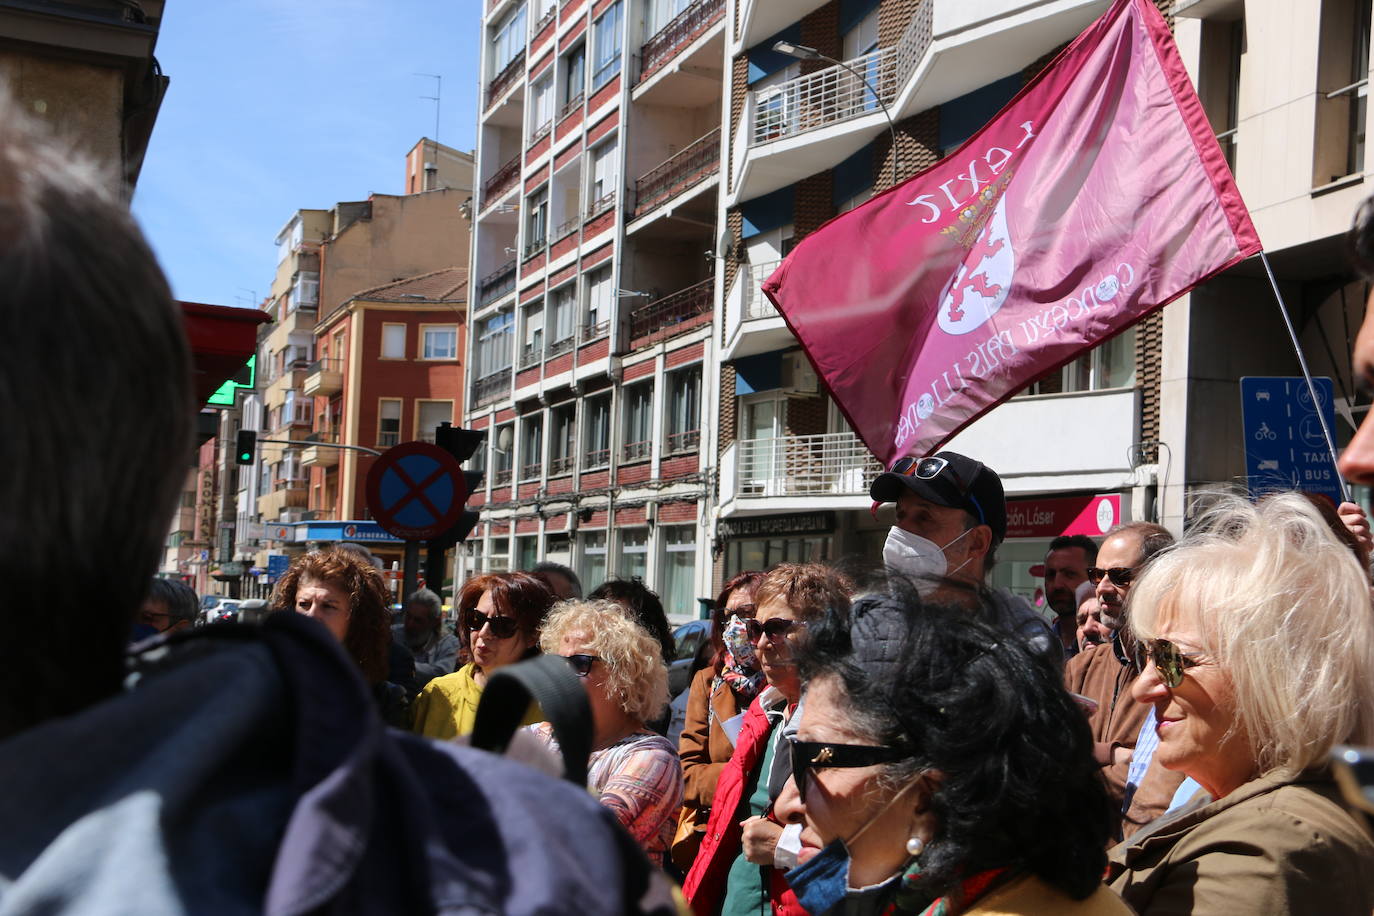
(282, 105)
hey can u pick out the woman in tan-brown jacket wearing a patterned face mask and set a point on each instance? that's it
(719, 693)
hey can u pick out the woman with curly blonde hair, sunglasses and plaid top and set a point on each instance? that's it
(634, 771)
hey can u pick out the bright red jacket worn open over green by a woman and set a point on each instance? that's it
(706, 885)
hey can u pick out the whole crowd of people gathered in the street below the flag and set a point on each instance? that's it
(898, 738)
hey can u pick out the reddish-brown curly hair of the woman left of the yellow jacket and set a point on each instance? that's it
(370, 617)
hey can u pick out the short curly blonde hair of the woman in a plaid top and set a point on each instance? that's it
(637, 678)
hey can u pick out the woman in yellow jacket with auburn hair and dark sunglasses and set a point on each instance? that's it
(498, 619)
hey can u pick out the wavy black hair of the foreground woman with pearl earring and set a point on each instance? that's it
(1020, 786)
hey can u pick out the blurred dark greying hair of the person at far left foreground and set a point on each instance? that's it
(95, 400)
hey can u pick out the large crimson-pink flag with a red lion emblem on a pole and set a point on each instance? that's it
(1096, 197)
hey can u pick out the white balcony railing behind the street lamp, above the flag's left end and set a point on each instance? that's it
(825, 98)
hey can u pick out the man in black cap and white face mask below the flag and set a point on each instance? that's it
(951, 514)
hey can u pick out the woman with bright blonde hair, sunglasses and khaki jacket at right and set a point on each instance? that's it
(1258, 660)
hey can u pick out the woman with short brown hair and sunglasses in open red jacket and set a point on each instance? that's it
(734, 870)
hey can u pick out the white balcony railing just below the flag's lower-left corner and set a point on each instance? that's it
(831, 465)
